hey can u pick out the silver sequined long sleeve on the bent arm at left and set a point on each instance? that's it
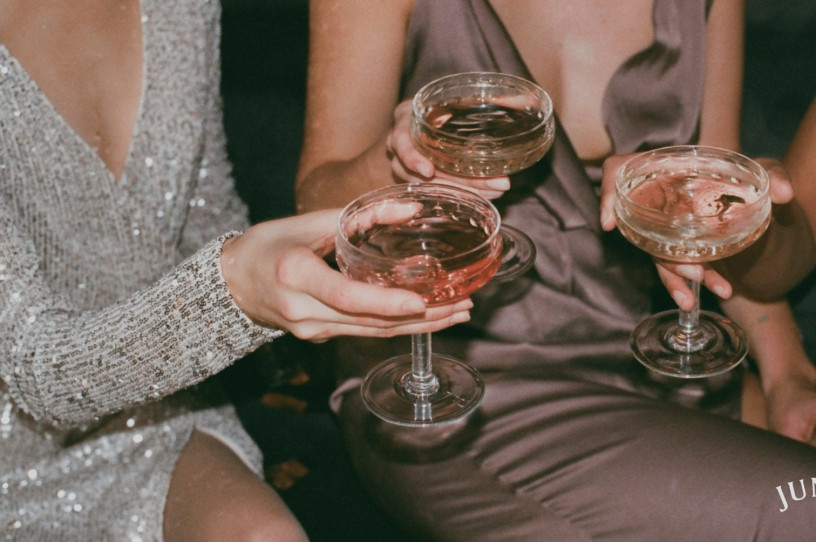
(66, 367)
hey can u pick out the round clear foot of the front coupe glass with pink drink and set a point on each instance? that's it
(459, 391)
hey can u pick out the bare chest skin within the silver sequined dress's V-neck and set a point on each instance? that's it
(86, 57)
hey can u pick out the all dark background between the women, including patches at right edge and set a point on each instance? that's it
(264, 50)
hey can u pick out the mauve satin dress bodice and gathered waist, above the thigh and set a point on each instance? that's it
(588, 289)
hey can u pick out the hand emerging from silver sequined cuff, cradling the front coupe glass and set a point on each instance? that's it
(276, 274)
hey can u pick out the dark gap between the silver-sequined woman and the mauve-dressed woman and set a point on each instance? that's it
(264, 55)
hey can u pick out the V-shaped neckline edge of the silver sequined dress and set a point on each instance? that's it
(70, 129)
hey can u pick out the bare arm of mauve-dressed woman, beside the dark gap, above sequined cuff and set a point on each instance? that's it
(350, 98)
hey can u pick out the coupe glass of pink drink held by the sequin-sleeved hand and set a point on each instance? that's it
(441, 242)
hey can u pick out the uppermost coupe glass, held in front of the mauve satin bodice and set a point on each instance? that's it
(485, 124)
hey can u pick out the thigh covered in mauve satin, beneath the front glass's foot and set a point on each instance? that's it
(549, 458)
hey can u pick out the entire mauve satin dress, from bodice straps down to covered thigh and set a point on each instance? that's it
(571, 442)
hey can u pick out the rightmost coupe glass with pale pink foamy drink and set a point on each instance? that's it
(691, 204)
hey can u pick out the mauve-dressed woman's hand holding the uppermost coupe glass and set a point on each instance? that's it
(410, 165)
